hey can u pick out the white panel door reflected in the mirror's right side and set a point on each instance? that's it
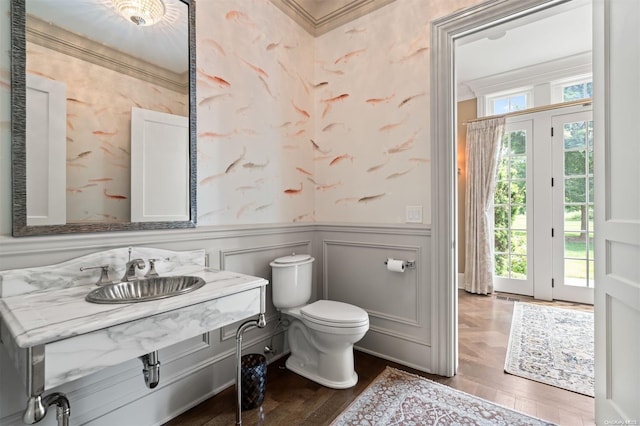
(159, 166)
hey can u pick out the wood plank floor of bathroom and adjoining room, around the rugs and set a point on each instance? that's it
(484, 323)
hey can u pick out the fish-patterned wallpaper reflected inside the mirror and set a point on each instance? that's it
(99, 103)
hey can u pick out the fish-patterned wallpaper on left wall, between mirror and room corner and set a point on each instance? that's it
(255, 114)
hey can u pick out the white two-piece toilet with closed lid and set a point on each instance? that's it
(321, 334)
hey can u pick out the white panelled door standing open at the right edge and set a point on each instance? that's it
(617, 210)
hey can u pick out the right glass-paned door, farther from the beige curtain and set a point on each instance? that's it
(573, 231)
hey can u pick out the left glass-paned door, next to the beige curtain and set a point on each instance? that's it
(512, 221)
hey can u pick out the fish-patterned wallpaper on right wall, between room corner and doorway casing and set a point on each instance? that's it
(372, 116)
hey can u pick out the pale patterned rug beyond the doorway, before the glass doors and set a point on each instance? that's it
(552, 346)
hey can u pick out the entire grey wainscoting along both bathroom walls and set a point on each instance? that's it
(198, 368)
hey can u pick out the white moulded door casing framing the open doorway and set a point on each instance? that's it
(444, 33)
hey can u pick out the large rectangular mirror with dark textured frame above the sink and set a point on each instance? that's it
(96, 118)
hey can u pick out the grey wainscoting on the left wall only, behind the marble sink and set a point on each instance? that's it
(191, 371)
